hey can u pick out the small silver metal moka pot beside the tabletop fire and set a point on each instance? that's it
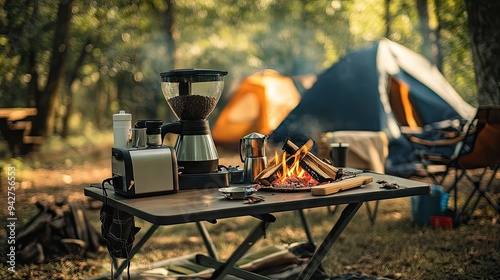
(253, 146)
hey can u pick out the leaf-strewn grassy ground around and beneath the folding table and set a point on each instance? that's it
(393, 247)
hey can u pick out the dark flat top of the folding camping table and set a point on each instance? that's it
(209, 204)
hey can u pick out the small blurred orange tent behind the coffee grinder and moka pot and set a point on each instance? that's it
(260, 104)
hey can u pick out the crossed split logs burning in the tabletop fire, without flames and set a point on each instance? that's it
(319, 170)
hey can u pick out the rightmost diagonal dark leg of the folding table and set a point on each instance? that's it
(344, 219)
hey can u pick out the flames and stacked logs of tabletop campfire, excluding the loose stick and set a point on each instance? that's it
(296, 167)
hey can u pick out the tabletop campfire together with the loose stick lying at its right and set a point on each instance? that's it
(296, 168)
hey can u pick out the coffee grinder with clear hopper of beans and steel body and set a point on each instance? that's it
(192, 94)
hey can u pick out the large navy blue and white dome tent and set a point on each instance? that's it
(354, 94)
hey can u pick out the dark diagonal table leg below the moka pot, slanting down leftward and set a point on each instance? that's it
(258, 232)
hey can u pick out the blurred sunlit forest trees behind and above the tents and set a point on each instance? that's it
(78, 62)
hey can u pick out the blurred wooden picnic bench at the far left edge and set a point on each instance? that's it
(15, 128)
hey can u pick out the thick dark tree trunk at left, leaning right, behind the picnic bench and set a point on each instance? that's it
(46, 99)
